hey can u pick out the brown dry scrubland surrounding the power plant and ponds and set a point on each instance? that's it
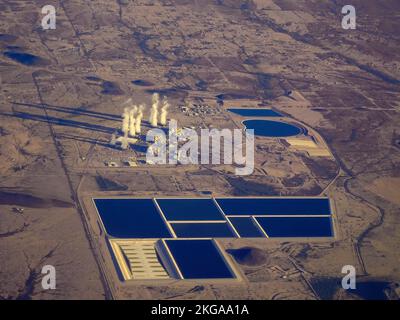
(57, 115)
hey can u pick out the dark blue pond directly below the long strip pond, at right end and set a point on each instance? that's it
(296, 227)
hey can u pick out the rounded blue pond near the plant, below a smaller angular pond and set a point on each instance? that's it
(274, 129)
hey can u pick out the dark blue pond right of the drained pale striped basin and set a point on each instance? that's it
(199, 259)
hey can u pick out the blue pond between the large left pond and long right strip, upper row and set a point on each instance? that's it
(190, 209)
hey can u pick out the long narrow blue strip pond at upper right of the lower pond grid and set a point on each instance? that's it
(275, 206)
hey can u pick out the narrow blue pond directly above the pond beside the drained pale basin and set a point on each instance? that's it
(203, 230)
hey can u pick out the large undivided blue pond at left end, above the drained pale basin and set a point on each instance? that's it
(131, 218)
